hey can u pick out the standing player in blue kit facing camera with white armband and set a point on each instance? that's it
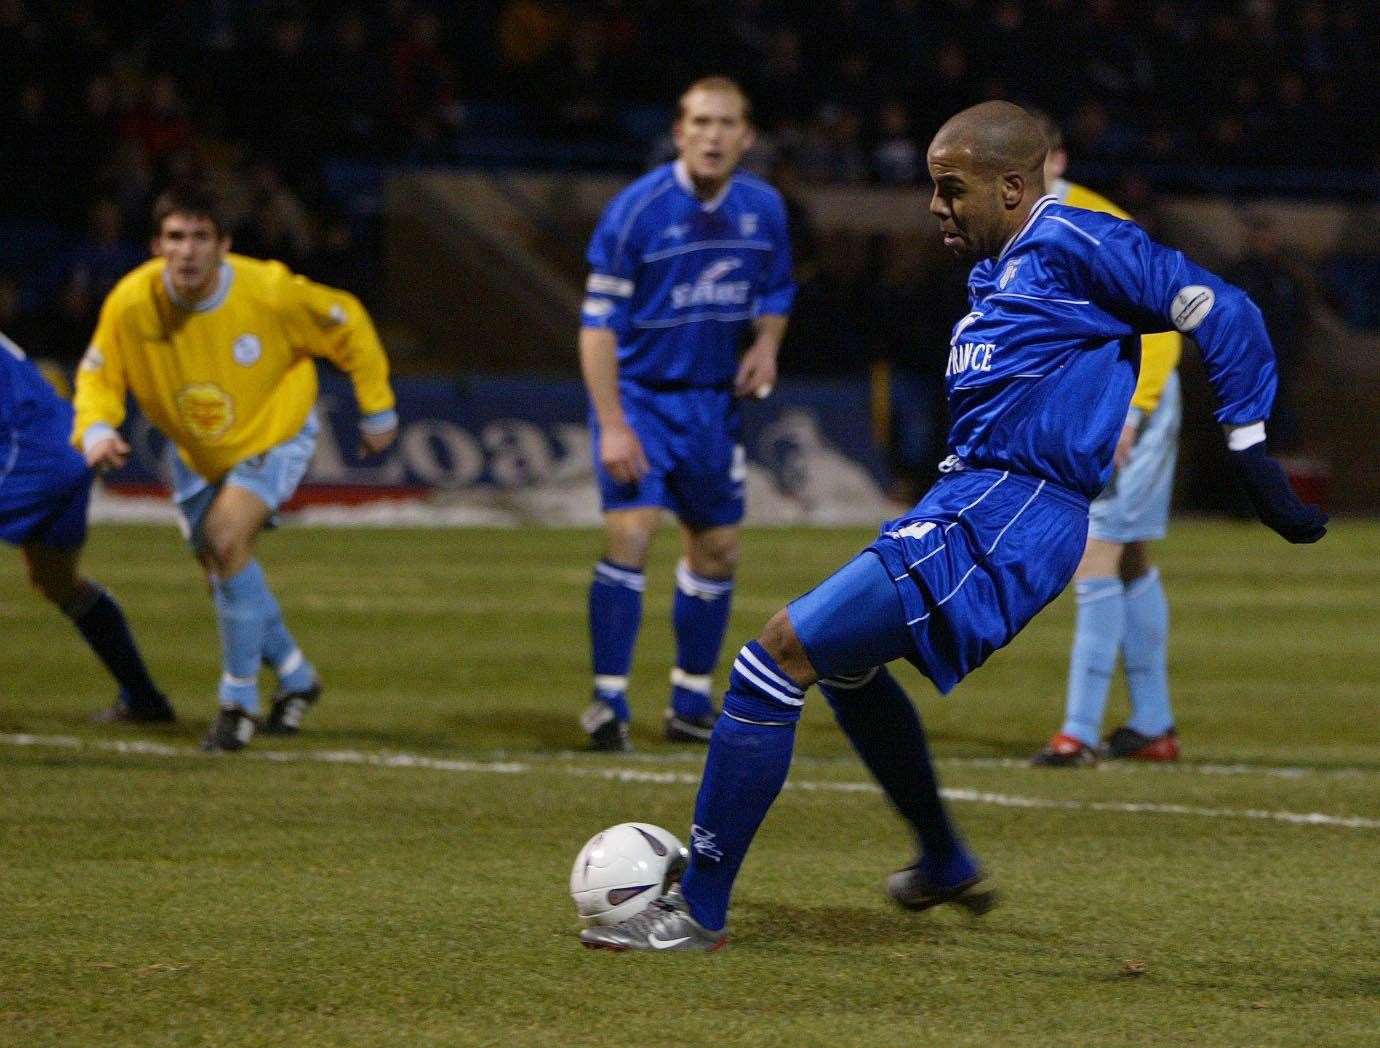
(687, 264)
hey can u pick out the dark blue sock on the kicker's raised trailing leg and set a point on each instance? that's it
(885, 728)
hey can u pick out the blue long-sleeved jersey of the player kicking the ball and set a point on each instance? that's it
(1043, 368)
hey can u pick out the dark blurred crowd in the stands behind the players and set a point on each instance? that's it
(104, 103)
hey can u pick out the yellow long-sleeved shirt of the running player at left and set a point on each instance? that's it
(233, 376)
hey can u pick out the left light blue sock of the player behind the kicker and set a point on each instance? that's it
(1098, 639)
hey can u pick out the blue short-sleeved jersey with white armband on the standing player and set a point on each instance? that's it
(680, 280)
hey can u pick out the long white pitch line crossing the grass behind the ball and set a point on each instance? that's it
(633, 775)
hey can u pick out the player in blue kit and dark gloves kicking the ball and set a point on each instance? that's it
(1040, 378)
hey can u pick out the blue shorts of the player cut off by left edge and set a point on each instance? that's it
(45, 491)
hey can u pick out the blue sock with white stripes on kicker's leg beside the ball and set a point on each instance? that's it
(750, 756)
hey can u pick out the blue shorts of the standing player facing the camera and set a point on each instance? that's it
(693, 440)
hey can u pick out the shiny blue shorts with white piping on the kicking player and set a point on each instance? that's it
(952, 582)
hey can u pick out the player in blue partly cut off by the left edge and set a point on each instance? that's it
(45, 491)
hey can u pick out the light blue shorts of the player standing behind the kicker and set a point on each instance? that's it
(1135, 505)
